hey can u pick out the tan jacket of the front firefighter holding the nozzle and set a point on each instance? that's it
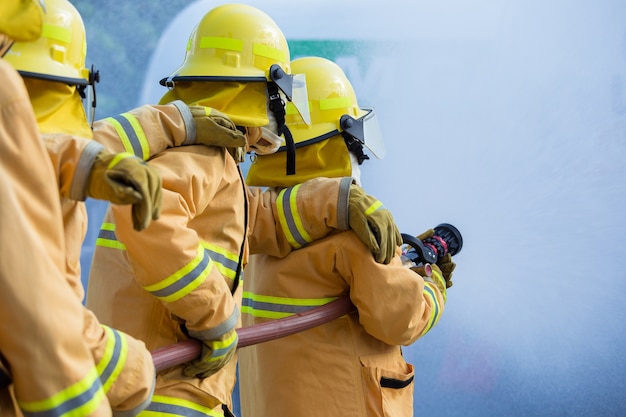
(352, 366)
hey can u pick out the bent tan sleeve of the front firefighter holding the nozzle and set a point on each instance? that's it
(395, 304)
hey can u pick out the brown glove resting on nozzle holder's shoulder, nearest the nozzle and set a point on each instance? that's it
(373, 224)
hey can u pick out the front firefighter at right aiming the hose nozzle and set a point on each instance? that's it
(352, 366)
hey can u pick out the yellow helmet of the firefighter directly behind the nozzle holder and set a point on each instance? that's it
(240, 43)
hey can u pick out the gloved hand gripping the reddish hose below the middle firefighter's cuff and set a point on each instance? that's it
(215, 355)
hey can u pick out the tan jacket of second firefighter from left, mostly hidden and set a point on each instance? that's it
(130, 386)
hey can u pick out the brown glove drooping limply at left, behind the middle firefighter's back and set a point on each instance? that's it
(125, 179)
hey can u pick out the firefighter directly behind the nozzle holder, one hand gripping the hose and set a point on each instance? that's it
(181, 277)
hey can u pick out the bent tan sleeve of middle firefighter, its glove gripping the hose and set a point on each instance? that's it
(169, 259)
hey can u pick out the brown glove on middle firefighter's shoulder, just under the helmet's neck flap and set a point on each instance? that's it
(214, 128)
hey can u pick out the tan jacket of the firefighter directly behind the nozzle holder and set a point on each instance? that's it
(175, 279)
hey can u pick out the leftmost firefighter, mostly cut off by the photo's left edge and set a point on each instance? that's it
(46, 368)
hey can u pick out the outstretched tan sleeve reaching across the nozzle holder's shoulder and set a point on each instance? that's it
(290, 218)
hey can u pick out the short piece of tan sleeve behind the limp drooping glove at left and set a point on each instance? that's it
(72, 159)
